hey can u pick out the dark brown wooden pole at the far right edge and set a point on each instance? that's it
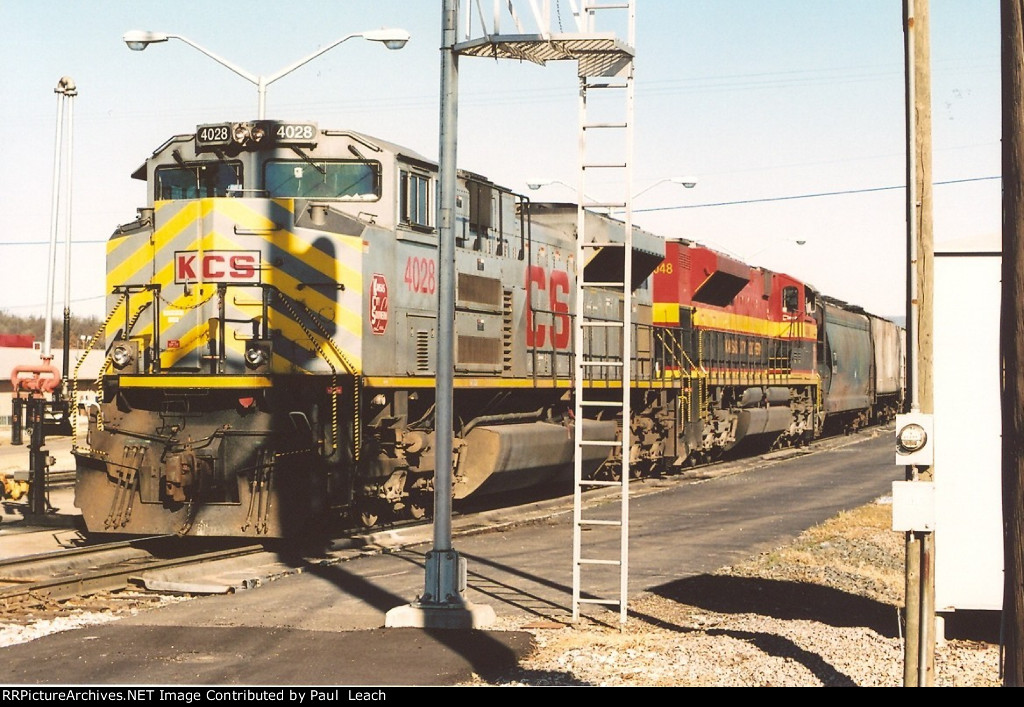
(1012, 342)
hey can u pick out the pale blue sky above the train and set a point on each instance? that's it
(789, 114)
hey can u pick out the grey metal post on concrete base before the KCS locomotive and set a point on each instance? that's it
(443, 604)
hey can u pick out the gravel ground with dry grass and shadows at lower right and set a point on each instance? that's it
(821, 612)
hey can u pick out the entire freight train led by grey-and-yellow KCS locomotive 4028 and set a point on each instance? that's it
(272, 342)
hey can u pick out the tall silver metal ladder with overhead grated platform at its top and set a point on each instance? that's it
(605, 66)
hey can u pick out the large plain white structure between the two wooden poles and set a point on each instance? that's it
(968, 427)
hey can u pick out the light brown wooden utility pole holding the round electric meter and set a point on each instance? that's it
(919, 668)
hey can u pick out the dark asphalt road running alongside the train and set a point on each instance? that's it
(324, 626)
